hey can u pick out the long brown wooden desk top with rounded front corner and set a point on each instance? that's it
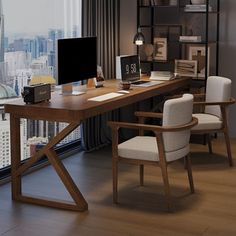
(74, 108)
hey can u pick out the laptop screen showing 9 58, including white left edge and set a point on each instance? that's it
(128, 67)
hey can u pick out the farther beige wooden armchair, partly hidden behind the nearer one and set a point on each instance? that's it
(214, 118)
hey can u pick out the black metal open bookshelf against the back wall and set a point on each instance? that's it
(174, 16)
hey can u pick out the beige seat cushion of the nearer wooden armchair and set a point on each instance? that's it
(145, 148)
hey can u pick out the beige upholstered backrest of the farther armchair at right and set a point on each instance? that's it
(218, 89)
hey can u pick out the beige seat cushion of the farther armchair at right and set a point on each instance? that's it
(207, 122)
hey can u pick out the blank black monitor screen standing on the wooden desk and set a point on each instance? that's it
(76, 59)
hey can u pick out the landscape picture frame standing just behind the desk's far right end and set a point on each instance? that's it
(186, 68)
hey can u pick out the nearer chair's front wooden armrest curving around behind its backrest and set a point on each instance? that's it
(155, 128)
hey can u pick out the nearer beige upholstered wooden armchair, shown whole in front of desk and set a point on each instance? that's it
(170, 143)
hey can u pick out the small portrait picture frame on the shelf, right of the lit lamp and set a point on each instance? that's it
(160, 49)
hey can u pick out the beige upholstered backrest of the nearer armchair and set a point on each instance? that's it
(177, 112)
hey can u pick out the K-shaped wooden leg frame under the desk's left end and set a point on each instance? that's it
(80, 203)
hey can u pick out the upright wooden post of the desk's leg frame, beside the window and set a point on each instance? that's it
(15, 156)
